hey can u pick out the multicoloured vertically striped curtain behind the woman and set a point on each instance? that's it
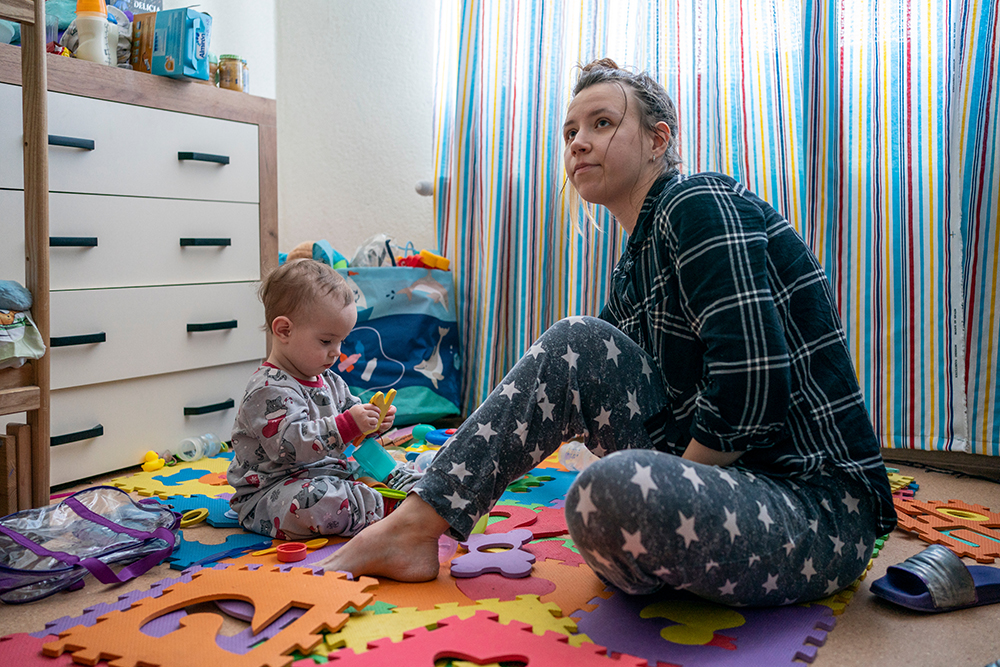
(871, 125)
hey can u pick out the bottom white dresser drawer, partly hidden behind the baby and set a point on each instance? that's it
(139, 415)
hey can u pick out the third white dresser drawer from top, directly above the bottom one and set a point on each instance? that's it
(115, 334)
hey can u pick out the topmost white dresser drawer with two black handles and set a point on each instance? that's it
(136, 151)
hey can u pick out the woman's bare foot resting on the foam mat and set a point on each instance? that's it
(403, 546)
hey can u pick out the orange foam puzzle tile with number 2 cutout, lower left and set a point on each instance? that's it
(118, 637)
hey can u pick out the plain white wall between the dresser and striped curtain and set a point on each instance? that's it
(355, 89)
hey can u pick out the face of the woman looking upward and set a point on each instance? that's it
(607, 151)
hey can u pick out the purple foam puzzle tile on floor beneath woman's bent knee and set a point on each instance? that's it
(767, 636)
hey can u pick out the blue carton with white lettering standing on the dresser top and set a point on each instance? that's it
(181, 39)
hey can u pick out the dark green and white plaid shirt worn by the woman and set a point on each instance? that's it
(739, 316)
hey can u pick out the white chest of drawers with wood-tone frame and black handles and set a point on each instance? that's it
(162, 214)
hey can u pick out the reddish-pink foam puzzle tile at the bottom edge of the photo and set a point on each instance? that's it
(479, 639)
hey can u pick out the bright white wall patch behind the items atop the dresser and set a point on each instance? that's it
(245, 28)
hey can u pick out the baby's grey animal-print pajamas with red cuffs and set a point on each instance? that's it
(291, 478)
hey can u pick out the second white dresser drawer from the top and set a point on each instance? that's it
(100, 241)
